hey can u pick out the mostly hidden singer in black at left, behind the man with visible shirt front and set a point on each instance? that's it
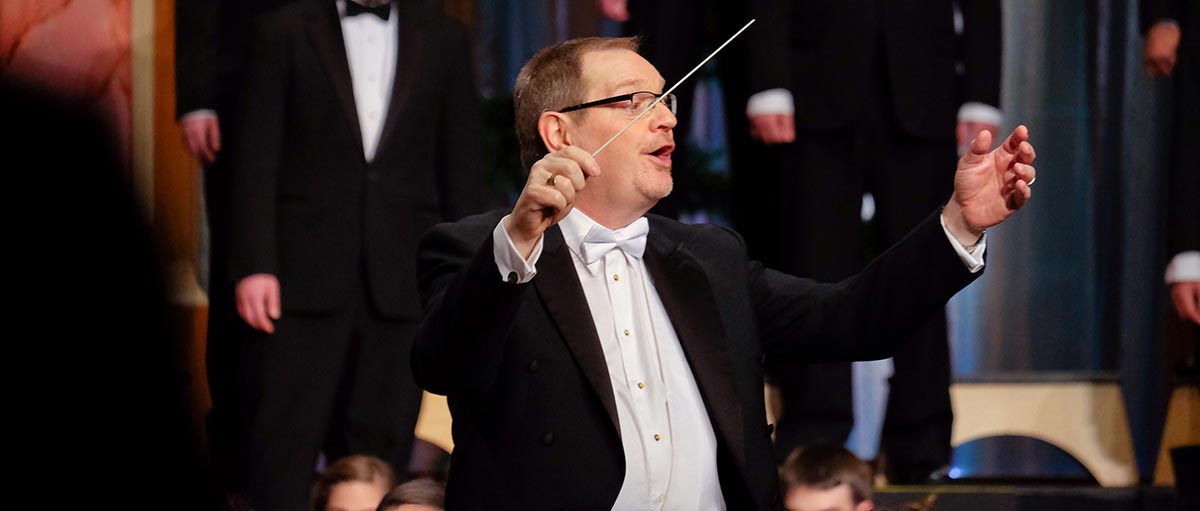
(212, 47)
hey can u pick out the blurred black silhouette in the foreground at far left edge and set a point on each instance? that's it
(103, 393)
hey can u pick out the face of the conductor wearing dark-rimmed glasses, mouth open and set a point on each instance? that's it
(637, 167)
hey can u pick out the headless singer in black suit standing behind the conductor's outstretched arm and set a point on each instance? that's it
(832, 83)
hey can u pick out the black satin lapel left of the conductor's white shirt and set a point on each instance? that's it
(562, 294)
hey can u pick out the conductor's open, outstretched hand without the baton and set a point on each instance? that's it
(989, 187)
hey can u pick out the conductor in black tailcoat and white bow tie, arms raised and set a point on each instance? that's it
(596, 358)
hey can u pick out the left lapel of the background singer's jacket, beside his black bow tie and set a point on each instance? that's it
(326, 34)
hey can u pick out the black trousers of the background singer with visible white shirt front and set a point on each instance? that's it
(338, 384)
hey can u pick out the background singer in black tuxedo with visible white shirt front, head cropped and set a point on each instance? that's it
(361, 131)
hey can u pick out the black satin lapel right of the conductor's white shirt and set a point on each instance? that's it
(688, 298)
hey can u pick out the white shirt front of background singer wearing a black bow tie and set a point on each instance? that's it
(371, 52)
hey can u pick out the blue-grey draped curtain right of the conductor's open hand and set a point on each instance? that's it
(1075, 281)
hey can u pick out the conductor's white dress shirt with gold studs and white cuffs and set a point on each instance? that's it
(669, 443)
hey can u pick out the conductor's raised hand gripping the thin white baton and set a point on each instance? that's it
(549, 195)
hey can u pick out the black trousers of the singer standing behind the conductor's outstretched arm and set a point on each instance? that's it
(819, 182)
